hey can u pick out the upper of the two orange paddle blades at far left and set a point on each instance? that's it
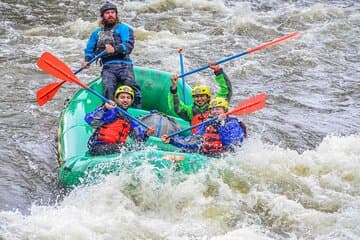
(57, 68)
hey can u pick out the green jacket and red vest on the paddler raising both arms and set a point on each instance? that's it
(196, 114)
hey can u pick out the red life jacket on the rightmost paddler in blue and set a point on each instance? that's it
(212, 142)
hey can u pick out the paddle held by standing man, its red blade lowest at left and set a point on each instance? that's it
(47, 93)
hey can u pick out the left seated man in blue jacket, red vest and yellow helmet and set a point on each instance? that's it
(111, 127)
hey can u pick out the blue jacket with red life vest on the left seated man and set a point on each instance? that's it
(111, 127)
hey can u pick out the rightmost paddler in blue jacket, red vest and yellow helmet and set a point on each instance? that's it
(215, 137)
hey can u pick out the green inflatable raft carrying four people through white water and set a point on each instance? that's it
(77, 166)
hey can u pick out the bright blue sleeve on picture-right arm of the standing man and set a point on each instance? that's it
(127, 43)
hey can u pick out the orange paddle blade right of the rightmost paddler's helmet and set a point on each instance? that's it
(249, 106)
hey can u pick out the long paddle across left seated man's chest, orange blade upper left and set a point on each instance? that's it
(54, 66)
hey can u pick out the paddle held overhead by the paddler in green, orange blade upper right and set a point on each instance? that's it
(262, 46)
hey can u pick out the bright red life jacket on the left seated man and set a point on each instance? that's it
(115, 132)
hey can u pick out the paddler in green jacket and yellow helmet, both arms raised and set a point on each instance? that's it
(199, 112)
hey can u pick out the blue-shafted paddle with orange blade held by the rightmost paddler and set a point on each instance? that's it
(248, 106)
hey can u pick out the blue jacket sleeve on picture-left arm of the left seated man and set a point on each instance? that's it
(100, 116)
